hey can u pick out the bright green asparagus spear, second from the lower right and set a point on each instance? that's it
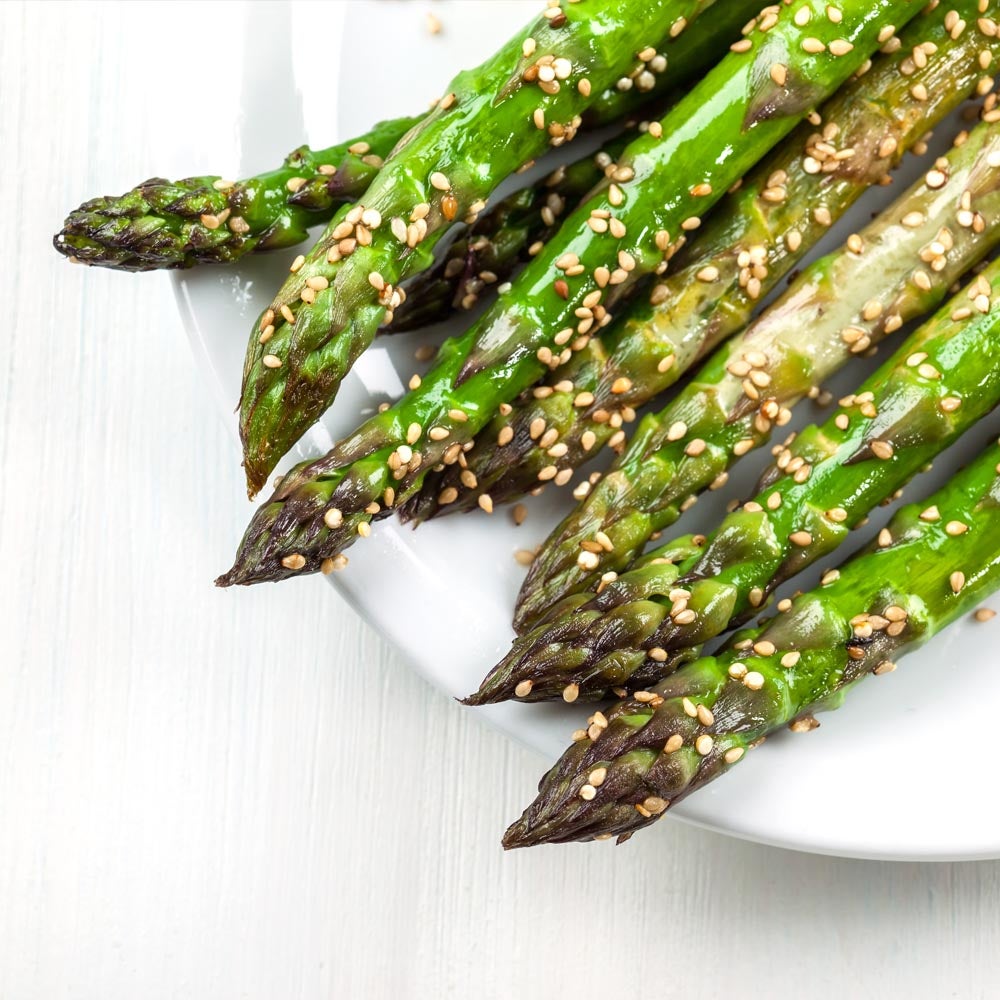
(942, 380)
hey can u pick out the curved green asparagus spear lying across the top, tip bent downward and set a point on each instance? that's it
(536, 87)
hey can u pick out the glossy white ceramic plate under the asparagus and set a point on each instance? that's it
(868, 782)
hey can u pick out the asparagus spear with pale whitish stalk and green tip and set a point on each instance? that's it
(893, 271)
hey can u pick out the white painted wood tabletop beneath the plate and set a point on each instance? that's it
(210, 795)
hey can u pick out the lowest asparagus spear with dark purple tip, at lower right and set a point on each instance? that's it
(932, 564)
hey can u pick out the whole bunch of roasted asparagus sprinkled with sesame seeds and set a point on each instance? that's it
(608, 280)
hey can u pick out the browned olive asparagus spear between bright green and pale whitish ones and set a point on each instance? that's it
(708, 295)
